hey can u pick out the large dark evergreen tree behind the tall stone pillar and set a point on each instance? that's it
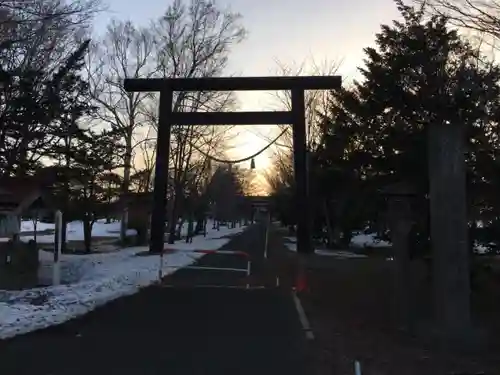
(420, 74)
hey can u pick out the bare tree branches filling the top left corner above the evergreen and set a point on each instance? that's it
(38, 34)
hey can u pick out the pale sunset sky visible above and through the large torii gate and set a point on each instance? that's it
(289, 31)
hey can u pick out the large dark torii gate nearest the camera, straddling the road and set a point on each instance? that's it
(296, 117)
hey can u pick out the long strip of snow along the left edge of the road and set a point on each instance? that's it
(92, 280)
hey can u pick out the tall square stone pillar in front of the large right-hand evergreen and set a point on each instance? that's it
(447, 188)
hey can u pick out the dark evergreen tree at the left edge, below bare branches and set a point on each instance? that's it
(36, 111)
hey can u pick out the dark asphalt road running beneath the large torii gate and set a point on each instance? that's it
(179, 330)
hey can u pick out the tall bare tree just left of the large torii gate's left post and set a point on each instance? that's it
(124, 52)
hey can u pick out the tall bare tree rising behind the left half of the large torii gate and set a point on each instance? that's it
(194, 40)
